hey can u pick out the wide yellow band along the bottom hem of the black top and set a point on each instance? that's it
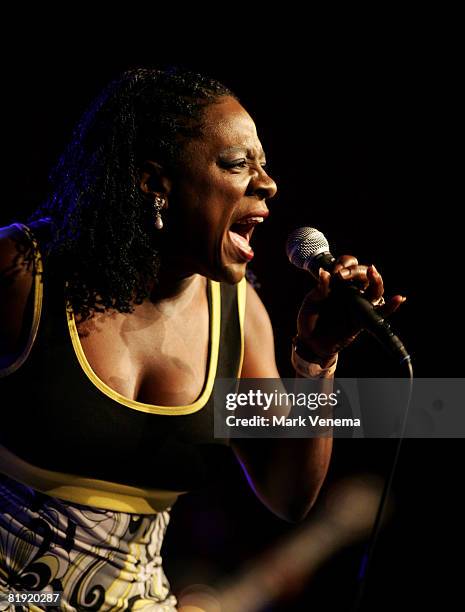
(87, 491)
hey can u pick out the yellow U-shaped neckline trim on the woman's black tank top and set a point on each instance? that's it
(214, 343)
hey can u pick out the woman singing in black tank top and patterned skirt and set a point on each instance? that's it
(121, 301)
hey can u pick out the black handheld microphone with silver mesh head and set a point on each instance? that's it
(307, 248)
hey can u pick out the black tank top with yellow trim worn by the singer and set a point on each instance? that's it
(65, 433)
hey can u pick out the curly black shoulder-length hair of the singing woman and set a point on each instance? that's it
(102, 242)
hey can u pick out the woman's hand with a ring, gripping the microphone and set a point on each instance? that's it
(324, 324)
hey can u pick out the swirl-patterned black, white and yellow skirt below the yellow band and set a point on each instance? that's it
(98, 559)
